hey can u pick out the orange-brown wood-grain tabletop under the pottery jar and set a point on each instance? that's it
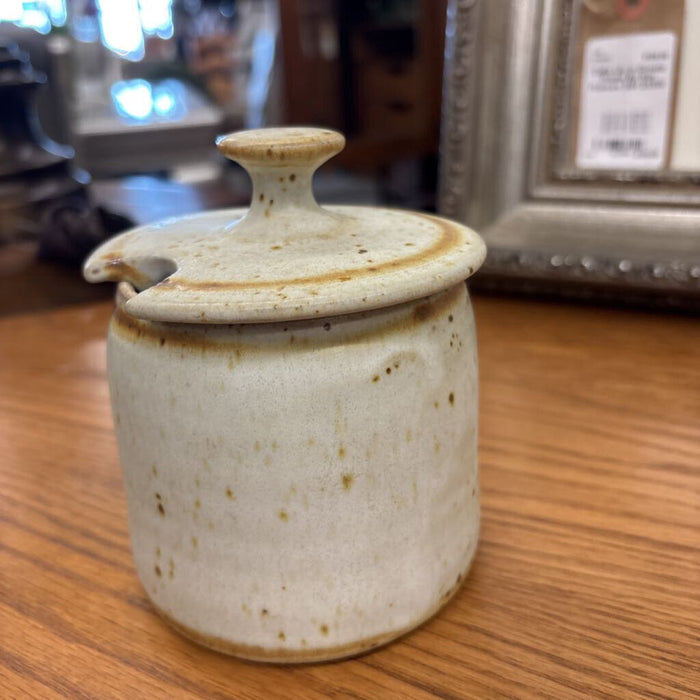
(586, 582)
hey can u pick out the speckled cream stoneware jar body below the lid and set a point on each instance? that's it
(302, 490)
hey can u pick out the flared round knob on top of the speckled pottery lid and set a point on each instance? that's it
(281, 163)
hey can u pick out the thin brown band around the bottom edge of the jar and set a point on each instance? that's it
(281, 655)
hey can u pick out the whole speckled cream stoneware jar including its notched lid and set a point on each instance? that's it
(294, 392)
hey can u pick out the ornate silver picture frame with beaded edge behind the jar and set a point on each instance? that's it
(550, 227)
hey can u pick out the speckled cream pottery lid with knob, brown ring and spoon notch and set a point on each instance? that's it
(286, 257)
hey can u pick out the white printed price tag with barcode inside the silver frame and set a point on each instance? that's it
(626, 90)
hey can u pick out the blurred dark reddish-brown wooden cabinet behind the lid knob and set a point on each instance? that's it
(371, 69)
